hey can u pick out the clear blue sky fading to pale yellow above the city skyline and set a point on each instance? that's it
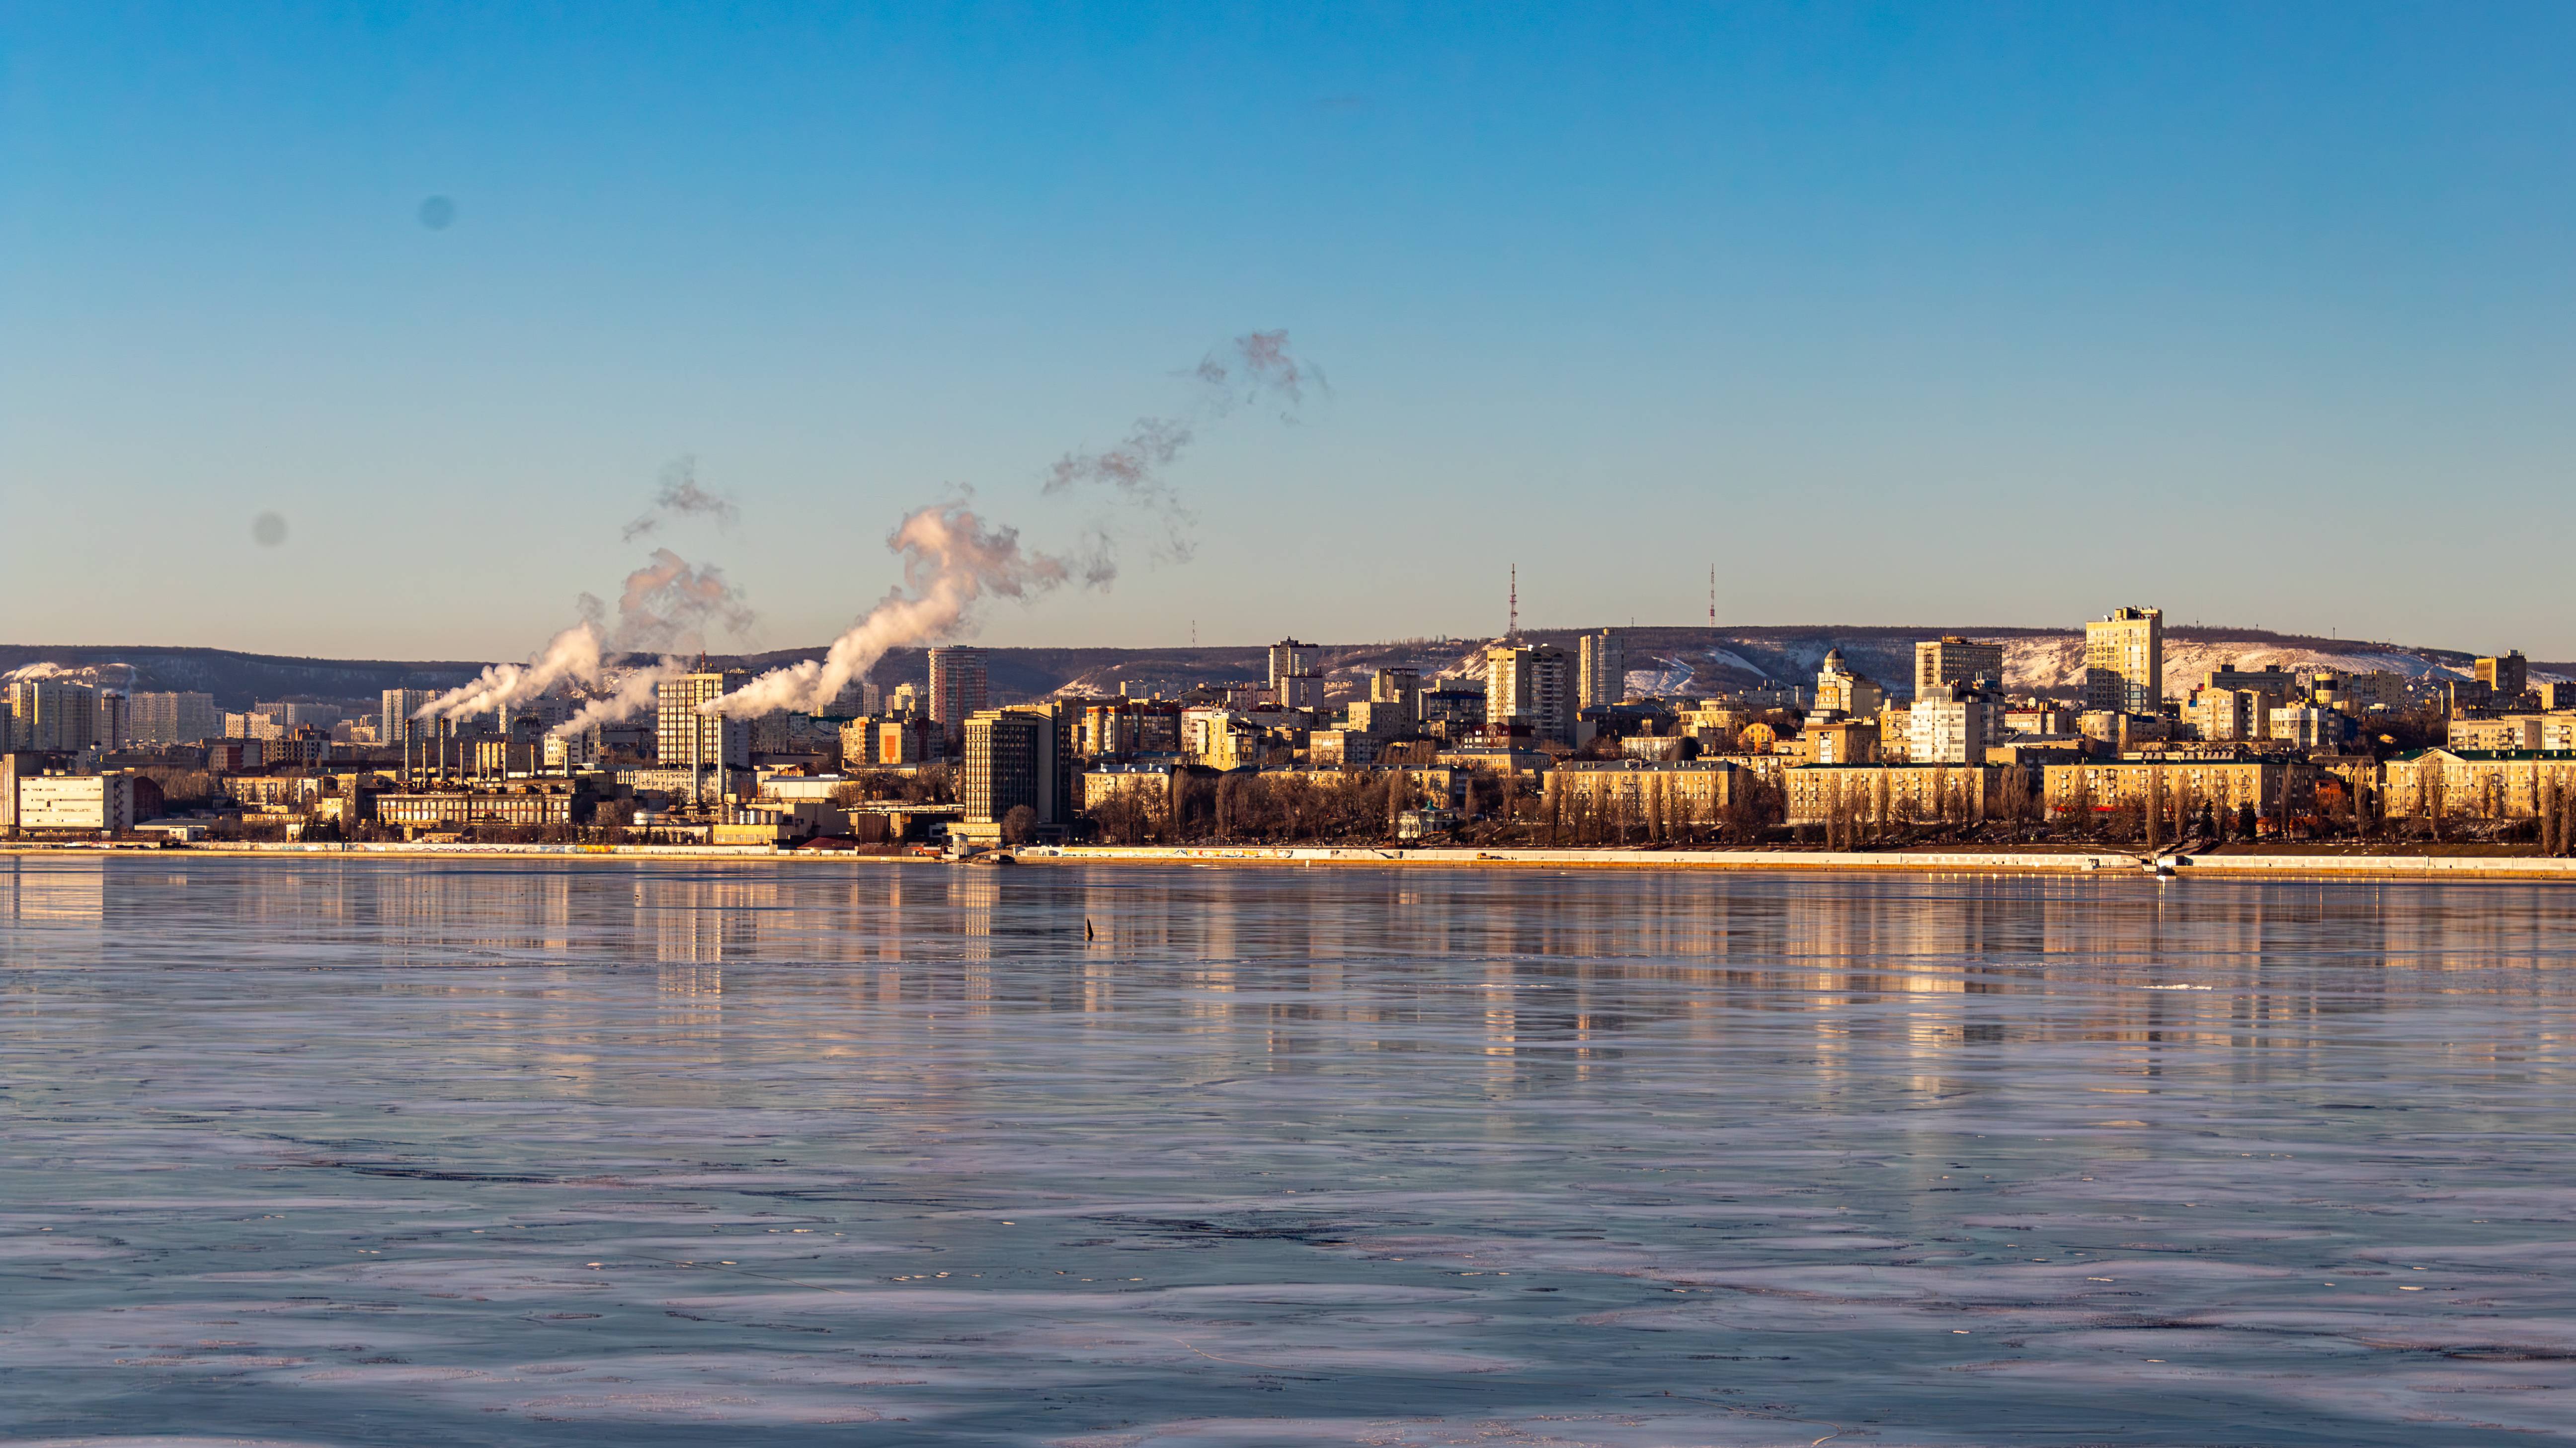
(1913, 313)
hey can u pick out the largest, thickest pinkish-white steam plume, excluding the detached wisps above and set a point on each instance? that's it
(952, 560)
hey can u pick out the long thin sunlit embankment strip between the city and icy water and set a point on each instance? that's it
(2098, 864)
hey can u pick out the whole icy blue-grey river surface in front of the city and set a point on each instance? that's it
(537, 1153)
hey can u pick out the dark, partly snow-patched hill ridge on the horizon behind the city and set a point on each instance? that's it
(1660, 661)
